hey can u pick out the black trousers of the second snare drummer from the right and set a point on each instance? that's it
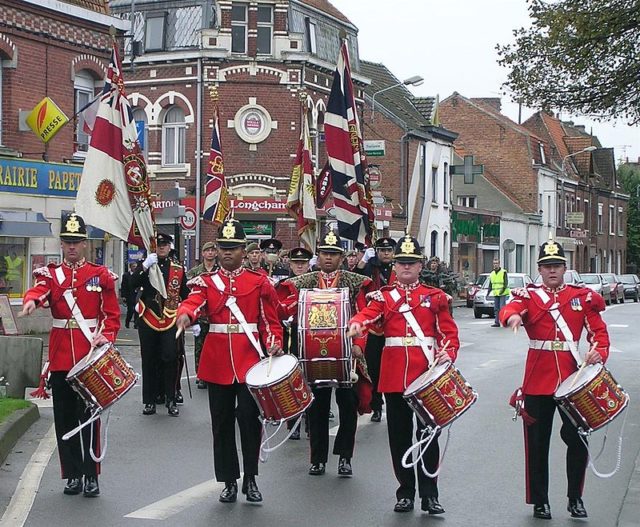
(400, 418)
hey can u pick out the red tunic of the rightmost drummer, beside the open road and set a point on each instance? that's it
(580, 307)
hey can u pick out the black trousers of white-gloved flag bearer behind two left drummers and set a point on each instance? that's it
(159, 362)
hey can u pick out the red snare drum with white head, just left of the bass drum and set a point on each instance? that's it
(282, 392)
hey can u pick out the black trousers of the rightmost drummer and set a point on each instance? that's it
(536, 442)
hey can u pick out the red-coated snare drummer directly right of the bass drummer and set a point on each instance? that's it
(404, 360)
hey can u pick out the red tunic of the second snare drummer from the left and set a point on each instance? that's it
(226, 357)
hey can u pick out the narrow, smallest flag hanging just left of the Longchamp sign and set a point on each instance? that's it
(216, 194)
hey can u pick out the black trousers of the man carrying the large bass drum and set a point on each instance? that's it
(318, 415)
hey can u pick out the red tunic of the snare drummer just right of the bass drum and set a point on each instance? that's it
(401, 365)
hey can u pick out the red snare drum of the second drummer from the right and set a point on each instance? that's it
(440, 396)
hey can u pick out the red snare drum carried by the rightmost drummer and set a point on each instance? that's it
(593, 399)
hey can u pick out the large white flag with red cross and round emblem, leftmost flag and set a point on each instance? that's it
(114, 193)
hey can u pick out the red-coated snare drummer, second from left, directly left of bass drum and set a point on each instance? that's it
(241, 306)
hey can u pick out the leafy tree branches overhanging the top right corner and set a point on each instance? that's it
(579, 56)
